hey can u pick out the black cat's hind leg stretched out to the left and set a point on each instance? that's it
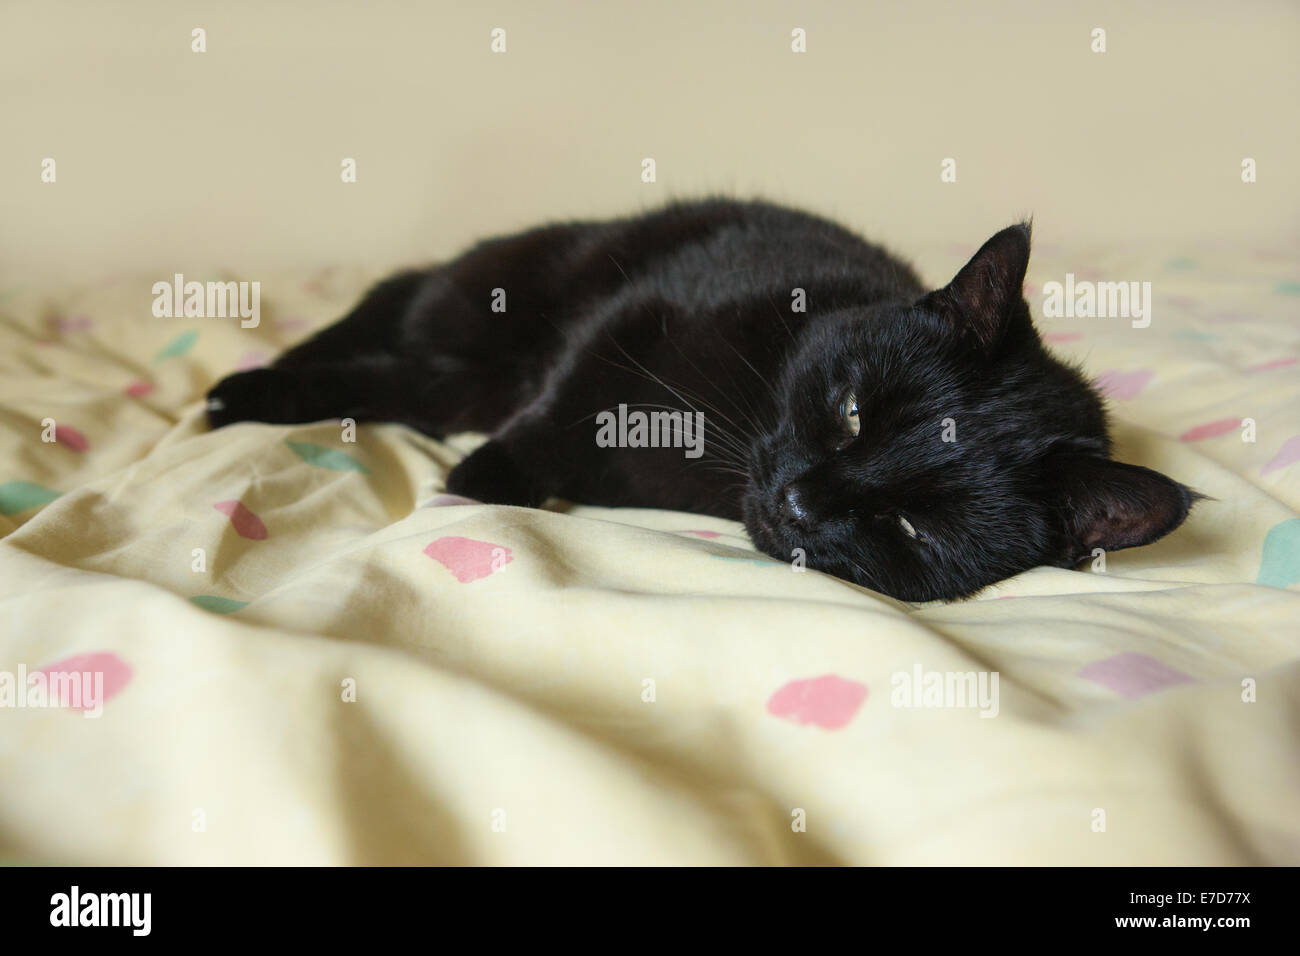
(428, 349)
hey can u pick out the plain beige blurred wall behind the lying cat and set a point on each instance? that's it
(171, 161)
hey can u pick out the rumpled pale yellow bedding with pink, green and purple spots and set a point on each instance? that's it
(310, 655)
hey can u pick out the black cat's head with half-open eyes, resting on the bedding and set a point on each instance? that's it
(930, 449)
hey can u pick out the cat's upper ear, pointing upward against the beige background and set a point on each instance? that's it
(981, 300)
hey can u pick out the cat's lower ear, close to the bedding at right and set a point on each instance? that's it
(1111, 505)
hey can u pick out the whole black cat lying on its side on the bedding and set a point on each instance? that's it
(924, 445)
